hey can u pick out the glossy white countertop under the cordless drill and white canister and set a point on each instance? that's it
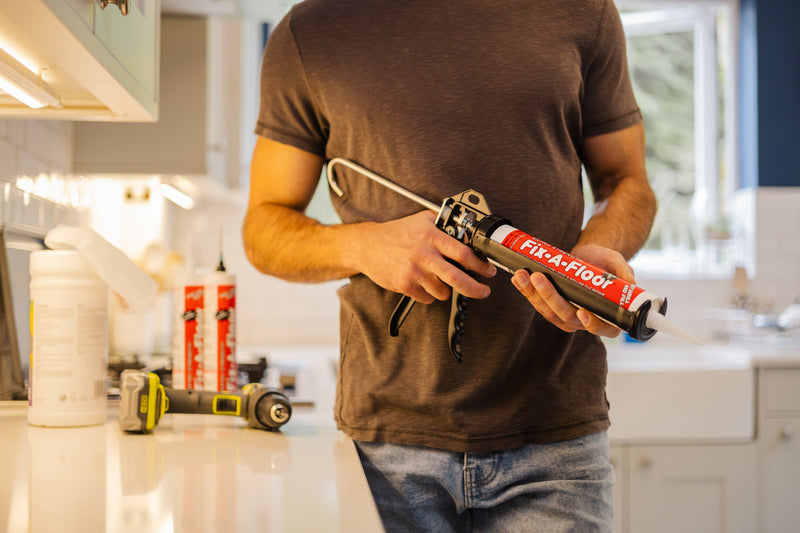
(193, 473)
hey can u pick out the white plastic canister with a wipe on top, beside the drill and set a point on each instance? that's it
(69, 348)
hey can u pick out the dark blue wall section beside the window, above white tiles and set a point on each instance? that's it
(770, 93)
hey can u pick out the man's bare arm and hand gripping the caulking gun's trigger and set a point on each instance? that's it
(406, 255)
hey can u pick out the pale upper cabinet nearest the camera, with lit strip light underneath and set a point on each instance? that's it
(98, 58)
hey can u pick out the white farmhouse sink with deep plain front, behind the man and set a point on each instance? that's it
(680, 392)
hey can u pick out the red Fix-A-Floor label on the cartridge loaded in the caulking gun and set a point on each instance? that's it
(589, 276)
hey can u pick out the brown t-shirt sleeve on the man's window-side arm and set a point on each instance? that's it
(608, 100)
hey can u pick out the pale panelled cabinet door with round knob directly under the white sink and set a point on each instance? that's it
(692, 489)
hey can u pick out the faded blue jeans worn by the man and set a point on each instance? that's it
(548, 488)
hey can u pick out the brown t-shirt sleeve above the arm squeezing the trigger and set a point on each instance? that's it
(288, 112)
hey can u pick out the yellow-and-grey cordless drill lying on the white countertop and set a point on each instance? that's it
(144, 400)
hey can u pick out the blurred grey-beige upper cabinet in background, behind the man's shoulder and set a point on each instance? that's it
(209, 103)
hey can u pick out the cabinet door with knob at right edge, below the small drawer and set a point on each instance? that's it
(780, 498)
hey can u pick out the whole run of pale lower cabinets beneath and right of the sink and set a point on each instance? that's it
(751, 487)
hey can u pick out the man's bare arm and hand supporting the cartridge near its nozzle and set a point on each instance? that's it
(625, 207)
